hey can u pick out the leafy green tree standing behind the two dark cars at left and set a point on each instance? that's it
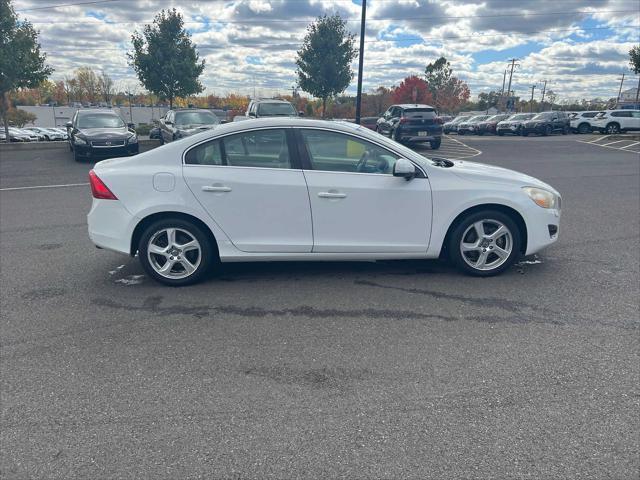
(165, 59)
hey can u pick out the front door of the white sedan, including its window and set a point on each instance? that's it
(357, 205)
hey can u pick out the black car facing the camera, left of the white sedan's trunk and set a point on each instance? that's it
(100, 134)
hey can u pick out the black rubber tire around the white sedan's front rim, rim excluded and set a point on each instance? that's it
(453, 245)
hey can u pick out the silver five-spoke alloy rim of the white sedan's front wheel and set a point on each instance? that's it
(486, 244)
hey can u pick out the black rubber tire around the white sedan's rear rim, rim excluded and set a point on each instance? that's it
(207, 252)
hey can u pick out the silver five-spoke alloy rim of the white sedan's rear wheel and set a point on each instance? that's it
(174, 253)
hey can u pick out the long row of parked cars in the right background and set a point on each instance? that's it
(546, 123)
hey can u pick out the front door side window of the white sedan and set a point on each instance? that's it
(336, 152)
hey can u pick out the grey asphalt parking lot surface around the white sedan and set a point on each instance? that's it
(320, 370)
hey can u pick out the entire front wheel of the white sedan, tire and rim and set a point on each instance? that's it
(465, 232)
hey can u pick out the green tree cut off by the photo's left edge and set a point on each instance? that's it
(22, 65)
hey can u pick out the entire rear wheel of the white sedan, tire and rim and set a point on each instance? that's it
(199, 259)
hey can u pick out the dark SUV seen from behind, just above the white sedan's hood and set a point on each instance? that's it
(411, 123)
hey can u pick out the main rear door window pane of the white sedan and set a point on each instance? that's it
(260, 148)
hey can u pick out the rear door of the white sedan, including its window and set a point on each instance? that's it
(253, 188)
